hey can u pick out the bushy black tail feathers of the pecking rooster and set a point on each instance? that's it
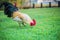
(8, 8)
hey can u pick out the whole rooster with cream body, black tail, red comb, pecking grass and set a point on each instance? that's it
(11, 11)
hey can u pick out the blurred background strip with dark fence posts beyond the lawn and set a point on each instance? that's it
(34, 3)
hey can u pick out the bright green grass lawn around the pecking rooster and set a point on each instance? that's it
(47, 27)
